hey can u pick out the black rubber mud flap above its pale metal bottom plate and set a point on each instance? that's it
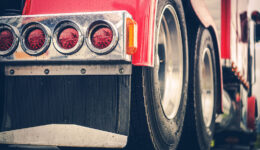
(100, 102)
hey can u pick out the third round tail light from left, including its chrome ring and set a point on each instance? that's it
(67, 37)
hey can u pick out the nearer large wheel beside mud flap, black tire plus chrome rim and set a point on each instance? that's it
(157, 116)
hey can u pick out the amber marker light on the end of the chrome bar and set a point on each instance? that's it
(131, 36)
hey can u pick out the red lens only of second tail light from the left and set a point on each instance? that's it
(35, 39)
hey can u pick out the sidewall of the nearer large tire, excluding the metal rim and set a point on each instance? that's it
(166, 132)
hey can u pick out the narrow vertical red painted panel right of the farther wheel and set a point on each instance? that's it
(225, 28)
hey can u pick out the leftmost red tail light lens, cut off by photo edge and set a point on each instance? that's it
(6, 39)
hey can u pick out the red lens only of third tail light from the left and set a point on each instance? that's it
(68, 38)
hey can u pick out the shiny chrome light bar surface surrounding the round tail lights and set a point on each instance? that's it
(83, 21)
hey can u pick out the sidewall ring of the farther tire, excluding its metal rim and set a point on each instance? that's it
(204, 133)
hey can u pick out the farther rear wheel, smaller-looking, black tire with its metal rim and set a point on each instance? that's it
(201, 108)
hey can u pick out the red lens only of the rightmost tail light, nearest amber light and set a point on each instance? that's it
(101, 37)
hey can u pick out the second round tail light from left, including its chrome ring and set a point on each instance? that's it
(35, 39)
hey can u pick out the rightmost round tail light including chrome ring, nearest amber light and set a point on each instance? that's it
(102, 37)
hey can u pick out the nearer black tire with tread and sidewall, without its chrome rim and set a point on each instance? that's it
(150, 128)
